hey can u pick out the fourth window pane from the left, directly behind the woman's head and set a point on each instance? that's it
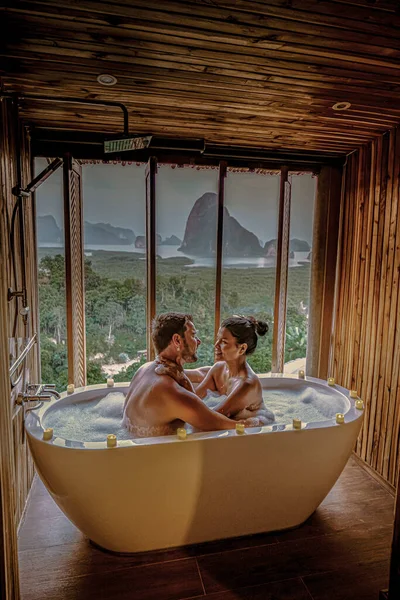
(249, 253)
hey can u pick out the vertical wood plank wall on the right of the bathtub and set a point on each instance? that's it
(366, 340)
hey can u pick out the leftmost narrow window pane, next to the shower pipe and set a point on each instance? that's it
(51, 278)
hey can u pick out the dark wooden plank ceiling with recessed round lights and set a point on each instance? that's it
(235, 72)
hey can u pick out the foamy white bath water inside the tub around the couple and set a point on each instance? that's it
(93, 420)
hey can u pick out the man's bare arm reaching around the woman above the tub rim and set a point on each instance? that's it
(186, 406)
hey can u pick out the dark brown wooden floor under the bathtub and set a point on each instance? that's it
(341, 553)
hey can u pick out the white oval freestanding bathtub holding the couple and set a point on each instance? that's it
(161, 492)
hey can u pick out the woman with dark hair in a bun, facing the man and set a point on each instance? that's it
(232, 378)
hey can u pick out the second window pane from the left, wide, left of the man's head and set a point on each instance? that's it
(115, 270)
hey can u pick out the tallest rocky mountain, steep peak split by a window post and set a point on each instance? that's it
(200, 232)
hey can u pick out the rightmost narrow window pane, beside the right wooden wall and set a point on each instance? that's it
(298, 294)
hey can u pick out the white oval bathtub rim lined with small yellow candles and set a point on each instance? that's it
(34, 426)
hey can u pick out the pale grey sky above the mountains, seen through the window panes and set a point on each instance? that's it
(115, 194)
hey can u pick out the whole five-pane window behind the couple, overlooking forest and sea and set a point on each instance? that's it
(186, 201)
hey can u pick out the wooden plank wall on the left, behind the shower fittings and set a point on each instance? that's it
(16, 469)
